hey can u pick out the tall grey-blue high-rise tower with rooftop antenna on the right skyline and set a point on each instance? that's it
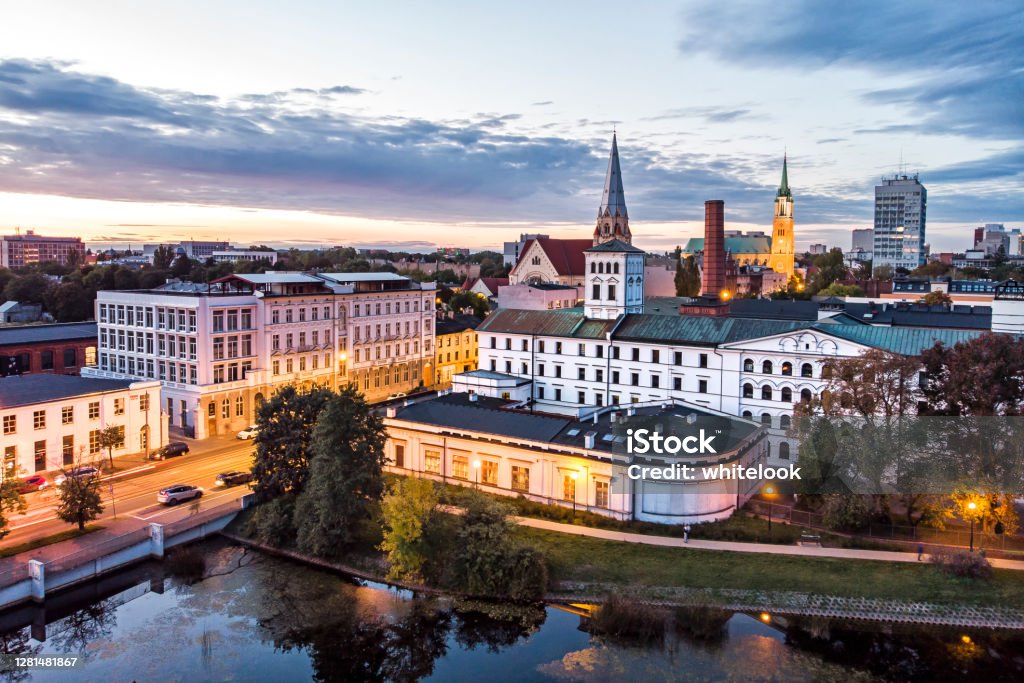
(901, 212)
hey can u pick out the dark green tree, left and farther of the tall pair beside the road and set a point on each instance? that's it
(286, 423)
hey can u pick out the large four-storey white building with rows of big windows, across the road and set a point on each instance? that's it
(222, 350)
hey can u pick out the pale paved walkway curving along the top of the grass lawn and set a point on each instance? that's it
(731, 546)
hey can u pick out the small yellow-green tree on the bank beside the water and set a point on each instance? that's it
(407, 511)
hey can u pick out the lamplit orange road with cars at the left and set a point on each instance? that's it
(135, 492)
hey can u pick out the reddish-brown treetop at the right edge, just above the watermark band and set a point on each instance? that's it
(980, 377)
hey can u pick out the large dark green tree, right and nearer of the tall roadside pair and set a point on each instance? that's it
(347, 475)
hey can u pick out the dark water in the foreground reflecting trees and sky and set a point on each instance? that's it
(254, 618)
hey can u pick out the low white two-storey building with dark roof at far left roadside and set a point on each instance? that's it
(54, 421)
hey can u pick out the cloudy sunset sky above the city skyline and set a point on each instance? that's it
(414, 125)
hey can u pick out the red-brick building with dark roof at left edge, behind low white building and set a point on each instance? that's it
(60, 350)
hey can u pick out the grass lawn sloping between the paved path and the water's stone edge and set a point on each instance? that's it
(583, 560)
